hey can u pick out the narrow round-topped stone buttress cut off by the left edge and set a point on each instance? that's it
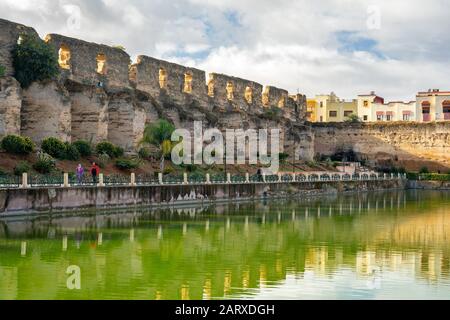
(10, 105)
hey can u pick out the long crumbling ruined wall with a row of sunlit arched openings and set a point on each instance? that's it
(100, 95)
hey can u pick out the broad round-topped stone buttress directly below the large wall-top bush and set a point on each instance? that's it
(46, 111)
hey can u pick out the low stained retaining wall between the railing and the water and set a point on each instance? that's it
(28, 201)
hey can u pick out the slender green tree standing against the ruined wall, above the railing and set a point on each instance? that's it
(158, 134)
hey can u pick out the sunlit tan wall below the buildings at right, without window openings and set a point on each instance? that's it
(404, 141)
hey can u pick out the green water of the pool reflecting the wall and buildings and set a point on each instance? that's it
(393, 245)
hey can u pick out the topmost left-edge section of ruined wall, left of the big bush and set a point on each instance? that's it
(9, 35)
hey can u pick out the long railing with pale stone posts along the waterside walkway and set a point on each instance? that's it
(65, 180)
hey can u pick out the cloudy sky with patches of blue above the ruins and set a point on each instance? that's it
(395, 47)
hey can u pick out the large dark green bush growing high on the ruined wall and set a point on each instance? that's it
(33, 60)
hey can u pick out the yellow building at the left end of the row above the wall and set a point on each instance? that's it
(329, 108)
